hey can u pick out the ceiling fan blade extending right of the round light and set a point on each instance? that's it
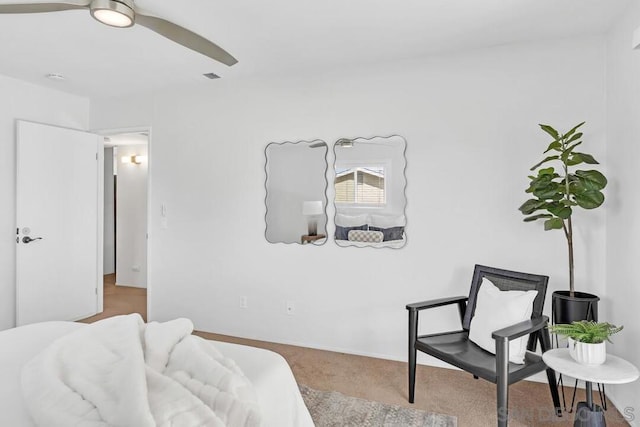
(186, 38)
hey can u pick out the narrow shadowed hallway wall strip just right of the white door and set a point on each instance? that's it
(109, 252)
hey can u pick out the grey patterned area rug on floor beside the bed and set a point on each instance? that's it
(333, 409)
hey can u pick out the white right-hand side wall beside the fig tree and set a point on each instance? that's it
(623, 213)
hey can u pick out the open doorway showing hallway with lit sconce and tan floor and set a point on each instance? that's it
(125, 222)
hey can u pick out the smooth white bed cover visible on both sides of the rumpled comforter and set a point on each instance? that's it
(279, 399)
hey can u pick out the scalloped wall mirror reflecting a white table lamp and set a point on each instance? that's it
(296, 198)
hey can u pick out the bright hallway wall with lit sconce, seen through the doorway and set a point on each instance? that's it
(131, 218)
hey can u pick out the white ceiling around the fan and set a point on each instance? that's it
(275, 37)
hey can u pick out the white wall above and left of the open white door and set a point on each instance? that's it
(24, 101)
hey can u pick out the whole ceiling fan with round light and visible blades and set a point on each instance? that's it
(123, 13)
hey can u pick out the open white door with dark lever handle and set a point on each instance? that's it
(59, 223)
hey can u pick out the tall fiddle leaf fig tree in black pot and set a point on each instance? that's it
(557, 189)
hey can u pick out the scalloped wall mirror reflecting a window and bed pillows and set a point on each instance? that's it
(370, 196)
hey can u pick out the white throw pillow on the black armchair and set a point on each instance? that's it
(496, 309)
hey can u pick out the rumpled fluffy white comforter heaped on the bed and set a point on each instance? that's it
(123, 372)
